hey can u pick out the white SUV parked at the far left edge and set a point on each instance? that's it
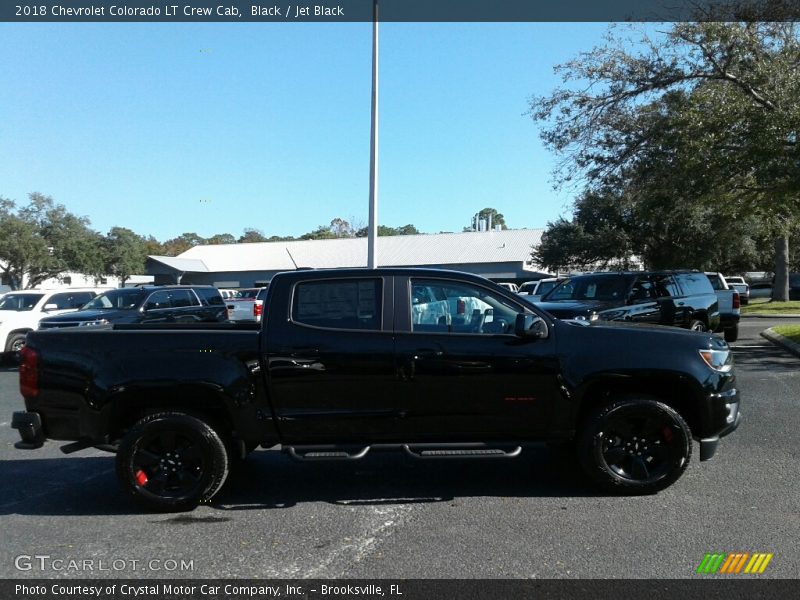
(21, 311)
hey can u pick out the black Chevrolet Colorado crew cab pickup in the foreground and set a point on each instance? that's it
(428, 362)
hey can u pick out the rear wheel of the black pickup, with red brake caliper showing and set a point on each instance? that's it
(171, 462)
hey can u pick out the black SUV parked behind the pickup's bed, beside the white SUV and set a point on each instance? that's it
(148, 304)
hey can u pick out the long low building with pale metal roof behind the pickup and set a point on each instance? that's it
(502, 255)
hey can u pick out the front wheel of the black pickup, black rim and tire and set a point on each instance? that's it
(635, 446)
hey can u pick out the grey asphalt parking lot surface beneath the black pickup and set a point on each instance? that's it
(389, 517)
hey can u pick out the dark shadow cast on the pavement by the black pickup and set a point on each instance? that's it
(271, 480)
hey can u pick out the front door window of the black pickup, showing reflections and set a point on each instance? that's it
(456, 307)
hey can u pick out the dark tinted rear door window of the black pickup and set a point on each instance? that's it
(338, 304)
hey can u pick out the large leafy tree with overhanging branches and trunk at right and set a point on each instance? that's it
(718, 98)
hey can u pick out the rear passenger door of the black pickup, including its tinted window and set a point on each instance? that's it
(330, 360)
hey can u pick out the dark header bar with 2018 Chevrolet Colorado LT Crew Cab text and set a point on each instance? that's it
(293, 11)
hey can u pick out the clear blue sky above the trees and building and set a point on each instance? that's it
(213, 128)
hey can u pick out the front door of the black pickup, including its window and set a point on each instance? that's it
(463, 372)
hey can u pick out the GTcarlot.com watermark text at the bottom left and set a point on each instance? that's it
(47, 563)
